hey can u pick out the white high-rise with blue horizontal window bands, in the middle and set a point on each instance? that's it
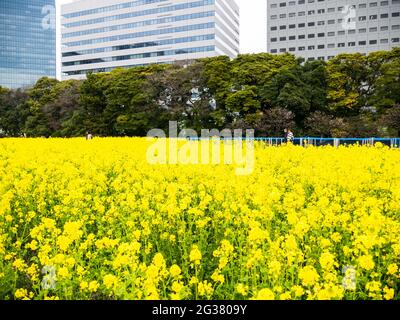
(101, 35)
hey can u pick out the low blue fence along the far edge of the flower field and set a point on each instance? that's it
(304, 141)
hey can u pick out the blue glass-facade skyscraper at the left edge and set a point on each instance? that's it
(27, 41)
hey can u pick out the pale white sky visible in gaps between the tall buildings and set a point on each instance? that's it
(252, 26)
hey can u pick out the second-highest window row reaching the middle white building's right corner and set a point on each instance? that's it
(141, 24)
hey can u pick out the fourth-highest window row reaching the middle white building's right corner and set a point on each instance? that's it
(141, 45)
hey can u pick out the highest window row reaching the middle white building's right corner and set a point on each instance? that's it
(160, 10)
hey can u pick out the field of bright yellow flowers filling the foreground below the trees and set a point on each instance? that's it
(93, 220)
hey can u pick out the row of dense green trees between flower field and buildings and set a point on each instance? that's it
(351, 95)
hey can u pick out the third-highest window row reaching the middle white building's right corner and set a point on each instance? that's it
(143, 34)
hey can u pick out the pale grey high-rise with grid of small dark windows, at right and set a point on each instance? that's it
(322, 29)
